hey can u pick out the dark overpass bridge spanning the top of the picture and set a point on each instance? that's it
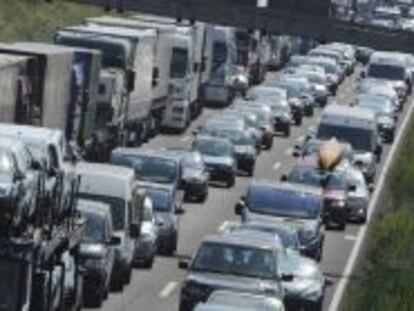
(310, 18)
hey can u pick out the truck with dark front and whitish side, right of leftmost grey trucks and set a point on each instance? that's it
(125, 111)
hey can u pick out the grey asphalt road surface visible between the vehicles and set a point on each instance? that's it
(158, 289)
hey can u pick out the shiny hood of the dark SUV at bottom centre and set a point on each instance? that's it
(232, 282)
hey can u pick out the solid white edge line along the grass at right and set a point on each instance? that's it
(352, 259)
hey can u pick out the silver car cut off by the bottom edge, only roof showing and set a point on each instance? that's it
(247, 301)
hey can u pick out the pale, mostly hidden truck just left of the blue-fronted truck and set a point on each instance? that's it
(199, 56)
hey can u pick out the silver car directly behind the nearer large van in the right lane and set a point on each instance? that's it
(386, 114)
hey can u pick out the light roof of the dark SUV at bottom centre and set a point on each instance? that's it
(261, 240)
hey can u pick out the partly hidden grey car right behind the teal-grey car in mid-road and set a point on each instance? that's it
(244, 149)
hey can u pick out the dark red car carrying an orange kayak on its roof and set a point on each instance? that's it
(334, 184)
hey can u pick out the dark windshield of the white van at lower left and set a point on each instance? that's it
(117, 205)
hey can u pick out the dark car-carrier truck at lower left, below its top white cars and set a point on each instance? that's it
(39, 255)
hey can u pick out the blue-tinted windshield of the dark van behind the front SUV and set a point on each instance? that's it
(283, 203)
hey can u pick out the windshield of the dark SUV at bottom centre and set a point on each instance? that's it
(235, 259)
